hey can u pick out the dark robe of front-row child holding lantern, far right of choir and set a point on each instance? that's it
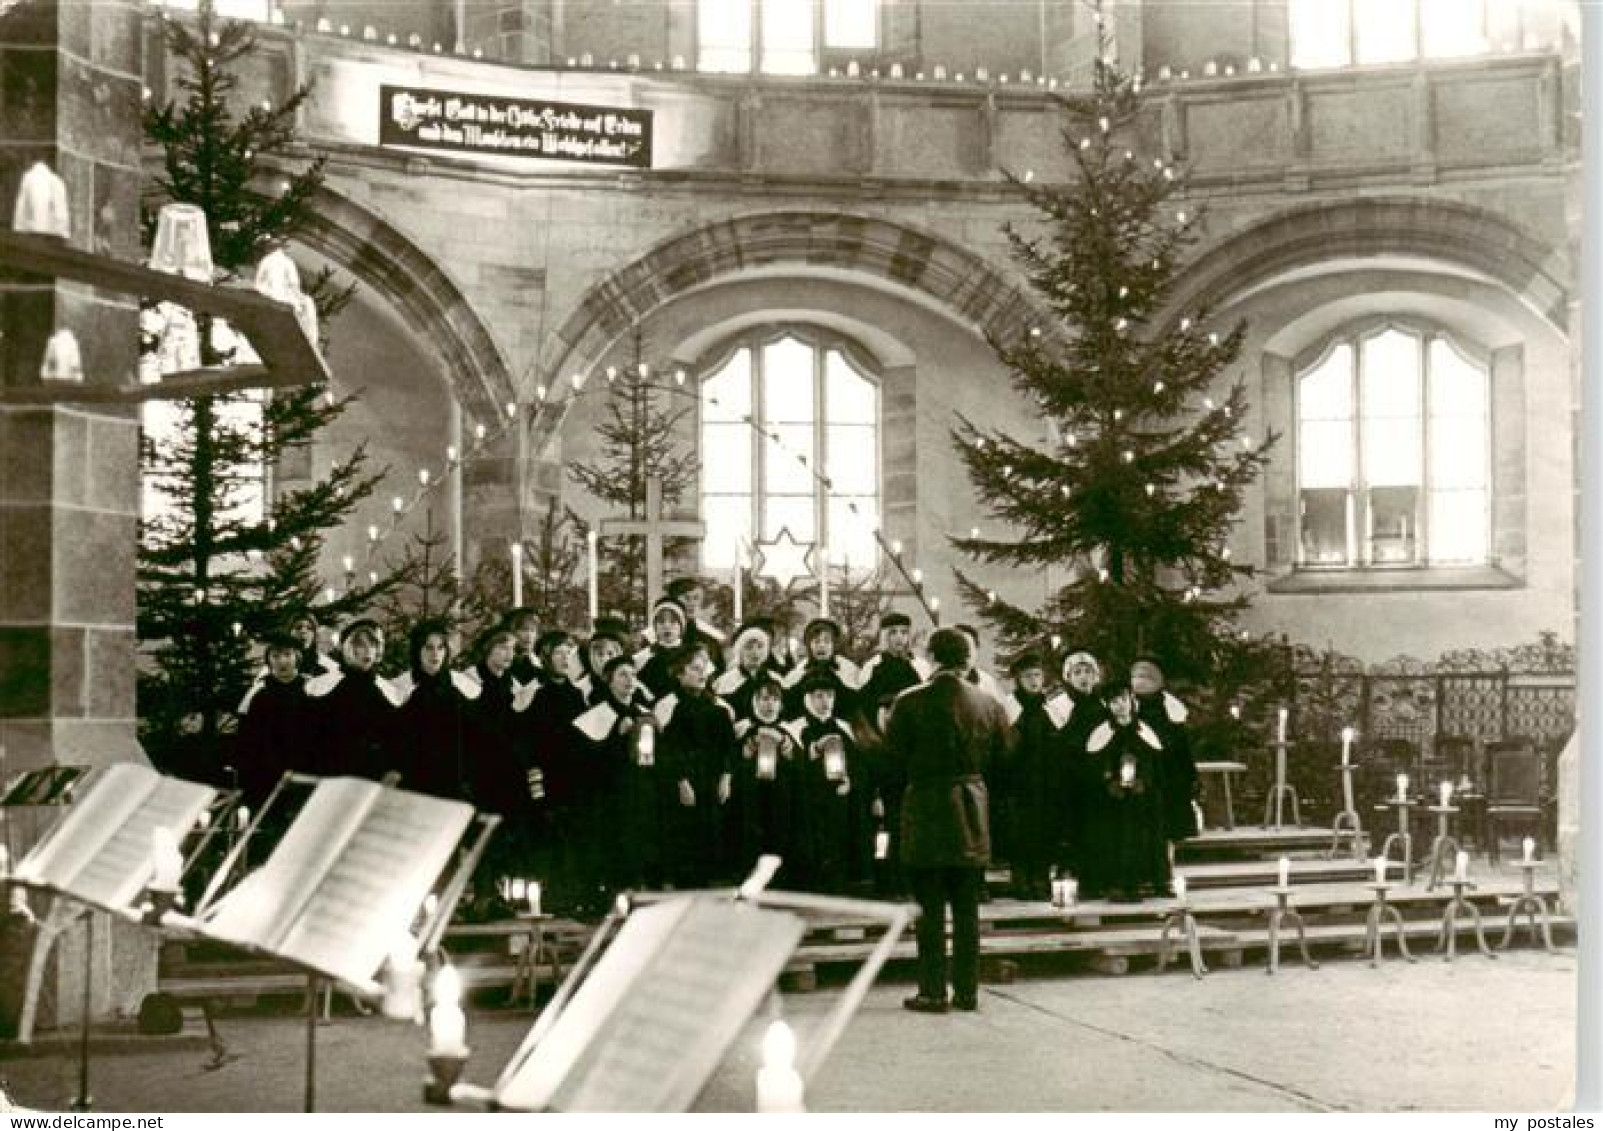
(1128, 850)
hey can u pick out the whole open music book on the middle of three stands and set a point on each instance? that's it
(345, 883)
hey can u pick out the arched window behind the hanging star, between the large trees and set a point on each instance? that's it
(778, 408)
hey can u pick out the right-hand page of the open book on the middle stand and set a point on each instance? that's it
(378, 882)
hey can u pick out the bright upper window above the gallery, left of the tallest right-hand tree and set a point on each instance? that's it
(781, 38)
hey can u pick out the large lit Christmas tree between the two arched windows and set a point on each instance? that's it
(1142, 477)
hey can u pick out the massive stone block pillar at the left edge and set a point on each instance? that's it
(71, 78)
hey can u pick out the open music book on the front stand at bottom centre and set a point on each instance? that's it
(660, 1012)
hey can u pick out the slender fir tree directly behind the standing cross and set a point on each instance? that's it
(639, 441)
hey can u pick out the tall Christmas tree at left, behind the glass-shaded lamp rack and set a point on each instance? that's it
(222, 557)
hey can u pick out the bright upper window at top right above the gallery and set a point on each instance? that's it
(1346, 33)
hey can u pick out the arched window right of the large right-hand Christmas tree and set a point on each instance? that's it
(1394, 451)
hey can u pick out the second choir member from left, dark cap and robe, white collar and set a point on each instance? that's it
(355, 710)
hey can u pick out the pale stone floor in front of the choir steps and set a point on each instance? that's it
(1466, 1036)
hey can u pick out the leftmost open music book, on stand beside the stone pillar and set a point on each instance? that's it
(100, 851)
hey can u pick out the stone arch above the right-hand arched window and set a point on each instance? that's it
(1416, 227)
